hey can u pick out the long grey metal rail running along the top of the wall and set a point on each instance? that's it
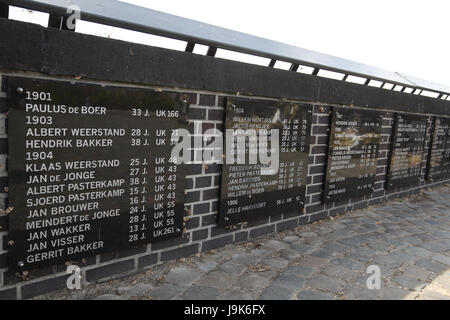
(127, 16)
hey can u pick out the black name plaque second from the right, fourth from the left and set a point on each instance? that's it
(407, 150)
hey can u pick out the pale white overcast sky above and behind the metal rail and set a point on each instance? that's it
(410, 36)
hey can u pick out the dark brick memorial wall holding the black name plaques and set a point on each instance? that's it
(90, 179)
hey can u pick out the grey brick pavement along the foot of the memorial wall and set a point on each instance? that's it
(409, 240)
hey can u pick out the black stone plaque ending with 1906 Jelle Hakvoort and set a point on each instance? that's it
(253, 191)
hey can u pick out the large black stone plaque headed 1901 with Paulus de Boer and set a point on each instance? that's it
(90, 169)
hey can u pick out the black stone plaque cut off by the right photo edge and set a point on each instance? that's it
(439, 157)
